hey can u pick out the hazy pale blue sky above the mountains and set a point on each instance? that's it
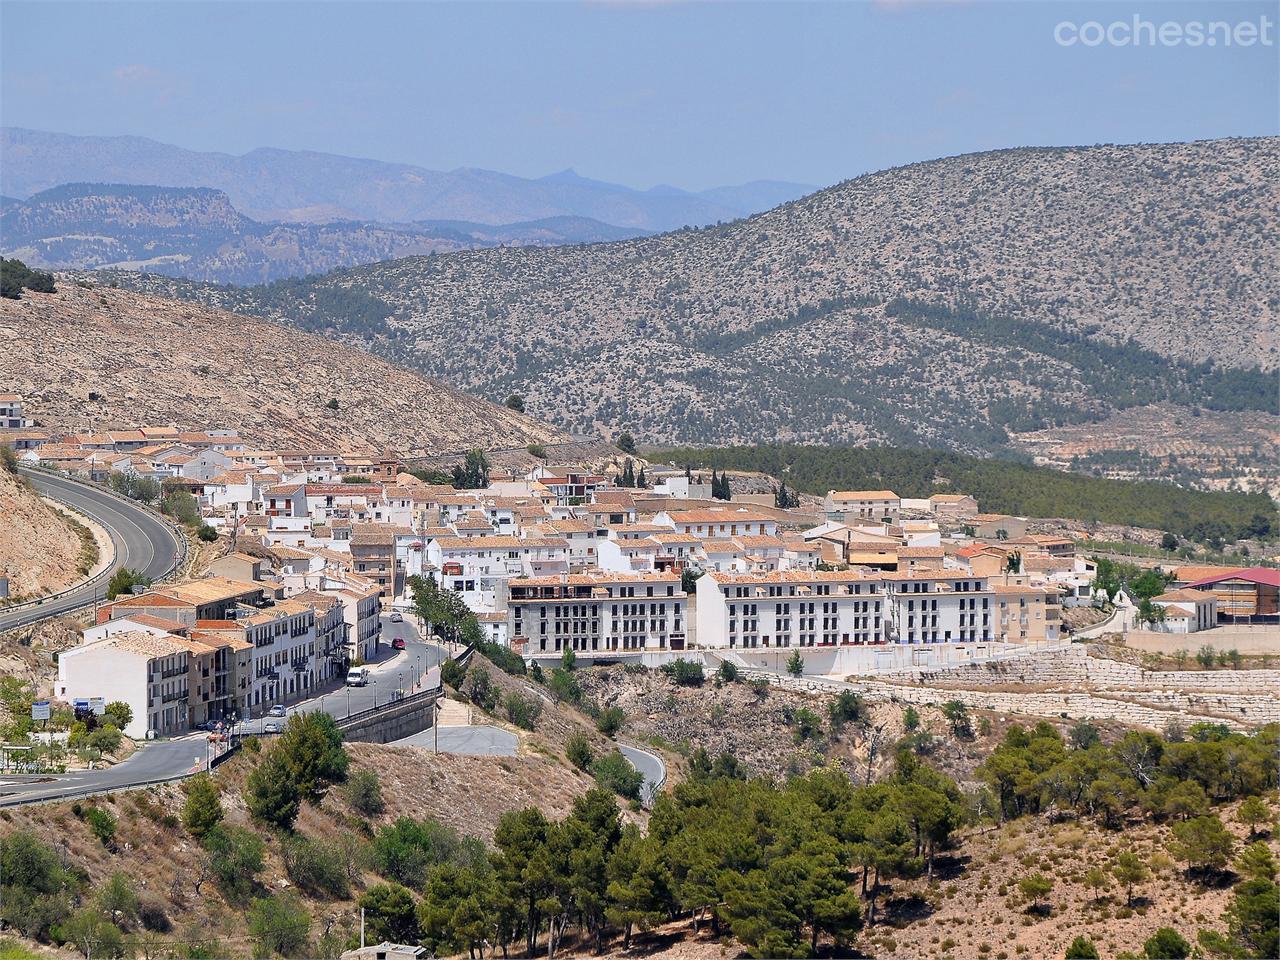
(638, 93)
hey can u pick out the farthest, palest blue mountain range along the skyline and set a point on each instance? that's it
(310, 188)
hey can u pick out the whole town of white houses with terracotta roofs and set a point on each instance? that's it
(316, 546)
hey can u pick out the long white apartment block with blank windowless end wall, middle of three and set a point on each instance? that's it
(790, 609)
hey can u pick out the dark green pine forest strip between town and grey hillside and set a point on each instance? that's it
(1000, 486)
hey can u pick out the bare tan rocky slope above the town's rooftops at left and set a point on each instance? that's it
(94, 358)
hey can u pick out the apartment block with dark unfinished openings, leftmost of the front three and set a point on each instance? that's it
(598, 612)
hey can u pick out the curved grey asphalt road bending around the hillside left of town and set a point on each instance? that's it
(143, 541)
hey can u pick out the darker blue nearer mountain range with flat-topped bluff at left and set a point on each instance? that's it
(198, 234)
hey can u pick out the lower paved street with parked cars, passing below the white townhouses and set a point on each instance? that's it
(170, 760)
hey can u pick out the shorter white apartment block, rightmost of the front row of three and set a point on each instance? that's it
(938, 607)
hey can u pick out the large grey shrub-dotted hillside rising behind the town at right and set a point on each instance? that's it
(950, 303)
